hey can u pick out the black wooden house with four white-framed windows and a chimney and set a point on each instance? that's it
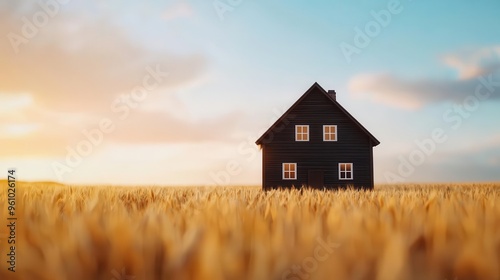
(317, 143)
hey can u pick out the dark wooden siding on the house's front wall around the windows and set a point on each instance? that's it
(352, 146)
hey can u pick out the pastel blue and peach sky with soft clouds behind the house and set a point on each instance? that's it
(176, 92)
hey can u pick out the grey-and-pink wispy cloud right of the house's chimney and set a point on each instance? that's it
(394, 91)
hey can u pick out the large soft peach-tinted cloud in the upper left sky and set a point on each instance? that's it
(83, 67)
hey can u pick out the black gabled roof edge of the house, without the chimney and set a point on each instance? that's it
(334, 102)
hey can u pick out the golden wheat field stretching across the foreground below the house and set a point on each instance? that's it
(117, 233)
